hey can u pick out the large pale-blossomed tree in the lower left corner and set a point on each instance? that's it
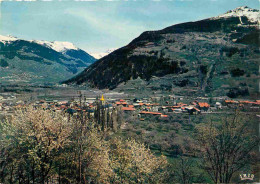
(31, 140)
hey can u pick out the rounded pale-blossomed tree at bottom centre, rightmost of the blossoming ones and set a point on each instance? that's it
(134, 163)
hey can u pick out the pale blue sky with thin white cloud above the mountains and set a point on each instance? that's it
(96, 26)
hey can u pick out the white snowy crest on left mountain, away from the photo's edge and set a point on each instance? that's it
(57, 45)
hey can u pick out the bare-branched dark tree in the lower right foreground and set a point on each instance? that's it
(225, 146)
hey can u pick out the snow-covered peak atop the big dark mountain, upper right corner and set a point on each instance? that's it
(251, 14)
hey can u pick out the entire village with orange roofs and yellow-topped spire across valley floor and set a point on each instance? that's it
(142, 108)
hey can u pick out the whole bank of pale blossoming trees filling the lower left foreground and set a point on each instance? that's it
(42, 146)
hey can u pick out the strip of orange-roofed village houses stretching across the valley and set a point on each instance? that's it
(142, 107)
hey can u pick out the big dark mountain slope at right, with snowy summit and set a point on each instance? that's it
(218, 55)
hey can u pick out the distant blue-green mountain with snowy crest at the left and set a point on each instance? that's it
(35, 61)
